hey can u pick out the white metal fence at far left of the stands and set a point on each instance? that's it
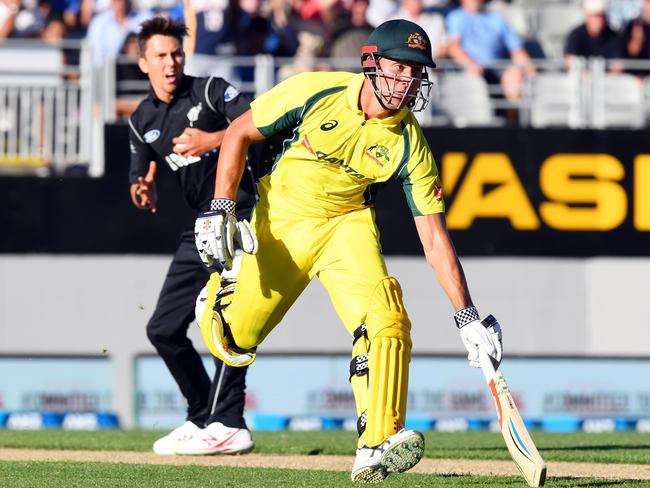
(47, 126)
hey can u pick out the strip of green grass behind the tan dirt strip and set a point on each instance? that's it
(623, 447)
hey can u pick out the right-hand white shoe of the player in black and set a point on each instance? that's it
(216, 438)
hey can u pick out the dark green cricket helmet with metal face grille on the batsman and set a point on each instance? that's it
(399, 40)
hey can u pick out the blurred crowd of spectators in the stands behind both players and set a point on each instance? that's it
(488, 38)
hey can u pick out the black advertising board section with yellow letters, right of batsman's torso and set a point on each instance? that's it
(536, 193)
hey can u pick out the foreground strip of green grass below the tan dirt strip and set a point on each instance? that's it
(88, 475)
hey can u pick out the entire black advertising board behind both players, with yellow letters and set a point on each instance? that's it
(508, 192)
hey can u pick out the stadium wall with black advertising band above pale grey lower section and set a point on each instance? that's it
(552, 227)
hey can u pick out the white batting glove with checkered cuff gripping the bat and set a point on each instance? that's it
(476, 334)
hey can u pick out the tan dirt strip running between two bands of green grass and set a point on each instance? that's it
(333, 463)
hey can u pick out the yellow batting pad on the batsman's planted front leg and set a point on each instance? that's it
(389, 333)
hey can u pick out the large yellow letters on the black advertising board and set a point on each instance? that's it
(582, 192)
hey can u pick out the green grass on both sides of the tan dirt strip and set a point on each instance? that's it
(632, 448)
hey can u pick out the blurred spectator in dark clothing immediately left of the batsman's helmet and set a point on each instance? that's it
(351, 32)
